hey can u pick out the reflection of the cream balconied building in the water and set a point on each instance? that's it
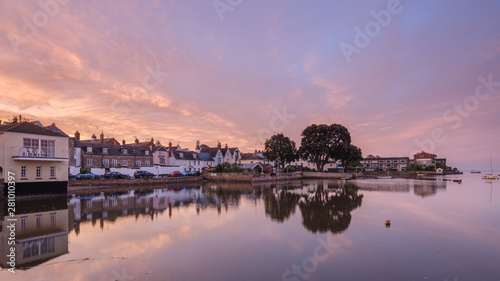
(41, 231)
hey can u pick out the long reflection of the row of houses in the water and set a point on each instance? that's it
(113, 206)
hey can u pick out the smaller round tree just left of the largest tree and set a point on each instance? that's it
(280, 148)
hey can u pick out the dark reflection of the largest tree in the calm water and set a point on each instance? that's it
(322, 212)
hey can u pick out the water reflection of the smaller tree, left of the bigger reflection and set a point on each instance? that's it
(280, 206)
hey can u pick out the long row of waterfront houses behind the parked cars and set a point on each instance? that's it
(109, 153)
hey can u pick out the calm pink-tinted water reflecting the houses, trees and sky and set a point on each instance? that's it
(301, 230)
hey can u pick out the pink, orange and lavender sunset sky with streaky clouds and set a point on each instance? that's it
(401, 76)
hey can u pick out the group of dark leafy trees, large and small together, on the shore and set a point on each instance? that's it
(320, 144)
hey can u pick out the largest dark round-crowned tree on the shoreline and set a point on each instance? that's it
(322, 143)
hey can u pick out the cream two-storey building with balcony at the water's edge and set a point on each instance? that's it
(37, 155)
